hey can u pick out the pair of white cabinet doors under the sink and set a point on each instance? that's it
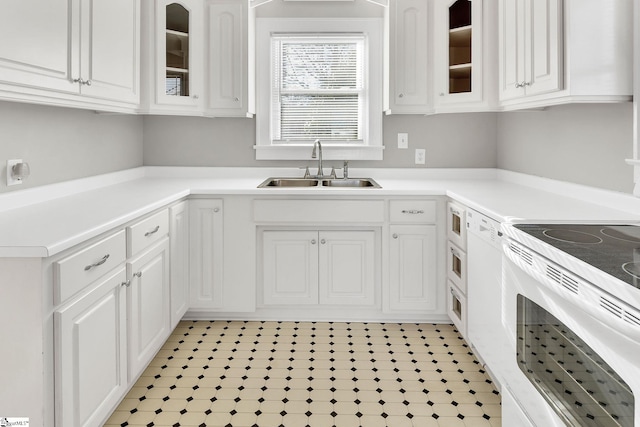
(318, 267)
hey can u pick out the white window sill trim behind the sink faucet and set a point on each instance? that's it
(329, 152)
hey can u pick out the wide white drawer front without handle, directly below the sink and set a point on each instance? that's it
(318, 211)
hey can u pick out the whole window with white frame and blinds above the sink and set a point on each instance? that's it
(319, 79)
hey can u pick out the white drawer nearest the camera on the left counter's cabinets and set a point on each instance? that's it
(78, 270)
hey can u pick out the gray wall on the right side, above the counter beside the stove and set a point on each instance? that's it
(582, 143)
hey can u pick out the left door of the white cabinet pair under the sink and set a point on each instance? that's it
(290, 267)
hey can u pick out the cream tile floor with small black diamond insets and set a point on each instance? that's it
(270, 374)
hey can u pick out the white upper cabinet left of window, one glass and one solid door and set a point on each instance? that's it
(200, 61)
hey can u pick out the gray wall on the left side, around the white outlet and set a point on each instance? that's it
(62, 144)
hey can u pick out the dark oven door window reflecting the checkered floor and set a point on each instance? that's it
(581, 387)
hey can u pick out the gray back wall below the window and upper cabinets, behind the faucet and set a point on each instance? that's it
(450, 140)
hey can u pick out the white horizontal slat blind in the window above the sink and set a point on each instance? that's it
(318, 88)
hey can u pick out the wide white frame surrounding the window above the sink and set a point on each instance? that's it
(371, 146)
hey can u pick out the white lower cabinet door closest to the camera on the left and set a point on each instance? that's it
(90, 354)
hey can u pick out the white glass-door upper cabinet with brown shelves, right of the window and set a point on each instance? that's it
(464, 47)
